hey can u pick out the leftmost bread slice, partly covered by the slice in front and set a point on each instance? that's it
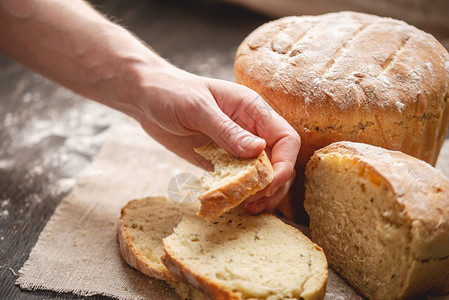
(142, 226)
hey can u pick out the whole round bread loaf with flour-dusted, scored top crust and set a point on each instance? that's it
(351, 76)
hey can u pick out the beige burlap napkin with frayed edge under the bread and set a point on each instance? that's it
(78, 252)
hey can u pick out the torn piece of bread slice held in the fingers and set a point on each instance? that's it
(233, 180)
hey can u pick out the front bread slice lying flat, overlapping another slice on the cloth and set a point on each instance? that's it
(246, 257)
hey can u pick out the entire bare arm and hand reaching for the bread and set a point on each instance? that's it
(104, 62)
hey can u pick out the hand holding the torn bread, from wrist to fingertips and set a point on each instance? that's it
(183, 111)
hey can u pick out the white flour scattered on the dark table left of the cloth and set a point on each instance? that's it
(52, 146)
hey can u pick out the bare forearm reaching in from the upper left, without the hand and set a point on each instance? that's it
(71, 43)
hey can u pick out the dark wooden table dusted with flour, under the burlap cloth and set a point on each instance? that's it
(42, 125)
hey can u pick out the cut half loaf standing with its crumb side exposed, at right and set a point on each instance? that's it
(382, 218)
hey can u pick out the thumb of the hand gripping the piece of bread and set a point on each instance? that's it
(231, 137)
